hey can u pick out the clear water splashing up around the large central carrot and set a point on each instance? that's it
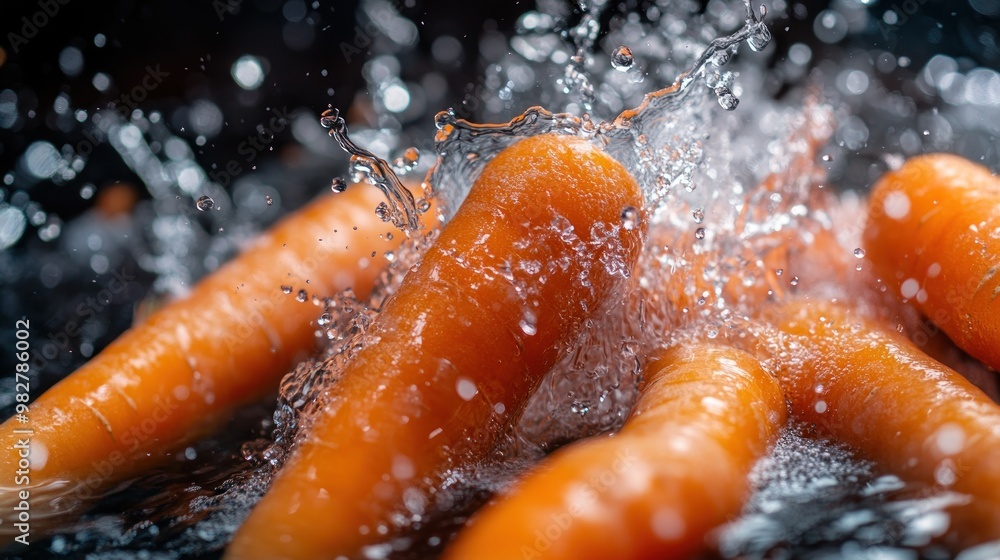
(728, 190)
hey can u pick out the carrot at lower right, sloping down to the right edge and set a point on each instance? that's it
(874, 390)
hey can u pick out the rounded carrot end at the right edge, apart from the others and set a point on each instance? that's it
(932, 235)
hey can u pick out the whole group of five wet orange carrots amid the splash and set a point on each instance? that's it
(457, 350)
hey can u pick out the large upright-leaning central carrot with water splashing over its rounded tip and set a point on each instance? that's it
(545, 237)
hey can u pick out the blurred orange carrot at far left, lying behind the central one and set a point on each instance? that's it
(175, 375)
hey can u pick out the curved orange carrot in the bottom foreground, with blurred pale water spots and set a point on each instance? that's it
(677, 469)
